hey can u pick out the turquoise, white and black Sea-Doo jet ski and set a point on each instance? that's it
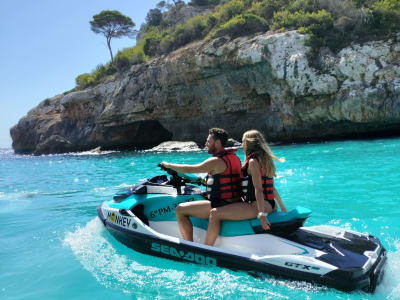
(143, 218)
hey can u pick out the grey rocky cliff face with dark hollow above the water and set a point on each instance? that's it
(264, 82)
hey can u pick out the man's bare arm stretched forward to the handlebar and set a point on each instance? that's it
(213, 165)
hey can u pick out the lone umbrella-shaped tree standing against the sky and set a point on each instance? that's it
(112, 24)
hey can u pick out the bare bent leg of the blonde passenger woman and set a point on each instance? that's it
(235, 212)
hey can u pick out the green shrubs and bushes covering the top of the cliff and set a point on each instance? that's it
(328, 23)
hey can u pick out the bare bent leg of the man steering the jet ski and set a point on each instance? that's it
(198, 209)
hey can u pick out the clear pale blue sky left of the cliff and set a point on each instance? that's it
(45, 44)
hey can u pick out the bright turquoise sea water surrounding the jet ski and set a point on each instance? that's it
(52, 246)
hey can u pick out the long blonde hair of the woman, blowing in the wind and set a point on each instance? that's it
(255, 142)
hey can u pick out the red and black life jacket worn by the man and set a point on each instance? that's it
(226, 185)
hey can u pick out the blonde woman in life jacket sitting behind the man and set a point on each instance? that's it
(260, 194)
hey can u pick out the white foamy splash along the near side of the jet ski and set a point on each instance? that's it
(120, 268)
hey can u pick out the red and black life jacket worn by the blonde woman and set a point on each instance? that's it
(248, 187)
